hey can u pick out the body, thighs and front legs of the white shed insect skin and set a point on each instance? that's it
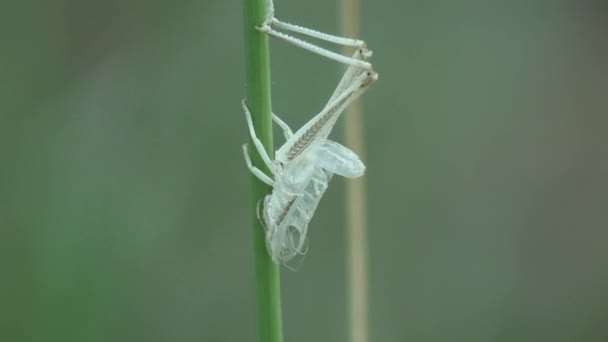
(304, 165)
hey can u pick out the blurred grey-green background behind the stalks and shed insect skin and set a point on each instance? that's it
(124, 197)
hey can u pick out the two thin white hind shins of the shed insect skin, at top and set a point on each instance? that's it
(270, 23)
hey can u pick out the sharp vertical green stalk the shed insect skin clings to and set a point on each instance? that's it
(257, 68)
